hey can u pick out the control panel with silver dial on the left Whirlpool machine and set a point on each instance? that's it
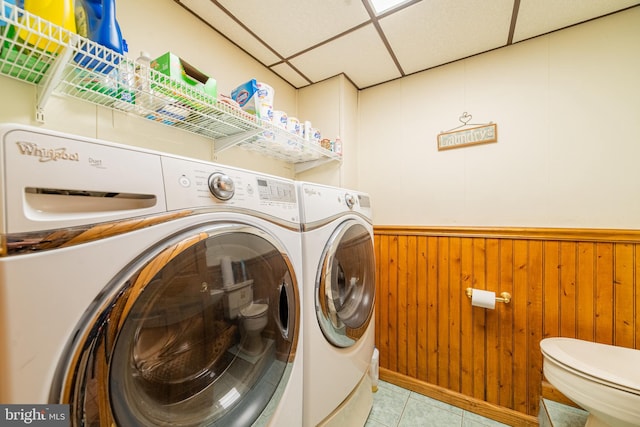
(193, 184)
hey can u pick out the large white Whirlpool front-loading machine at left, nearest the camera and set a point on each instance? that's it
(141, 288)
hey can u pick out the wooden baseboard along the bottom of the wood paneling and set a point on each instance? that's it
(480, 407)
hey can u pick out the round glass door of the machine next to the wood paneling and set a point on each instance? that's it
(345, 285)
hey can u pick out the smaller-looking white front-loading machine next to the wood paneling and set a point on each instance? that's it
(338, 304)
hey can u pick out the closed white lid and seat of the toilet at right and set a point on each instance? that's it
(613, 364)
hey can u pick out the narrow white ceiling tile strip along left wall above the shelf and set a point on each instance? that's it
(226, 26)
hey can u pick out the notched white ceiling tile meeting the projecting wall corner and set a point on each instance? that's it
(361, 55)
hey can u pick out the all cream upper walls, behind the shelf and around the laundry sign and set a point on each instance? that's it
(566, 105)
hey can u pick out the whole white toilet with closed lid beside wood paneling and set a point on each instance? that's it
(603, 379)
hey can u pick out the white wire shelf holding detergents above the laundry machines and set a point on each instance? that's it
(61, 62)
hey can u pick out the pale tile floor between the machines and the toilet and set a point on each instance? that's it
(395, 406)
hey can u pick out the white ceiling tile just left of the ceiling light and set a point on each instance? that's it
(290, 27)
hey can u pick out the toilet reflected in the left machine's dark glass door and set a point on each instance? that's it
(238, 304)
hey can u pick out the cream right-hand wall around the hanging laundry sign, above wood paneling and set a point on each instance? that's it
(567, 106)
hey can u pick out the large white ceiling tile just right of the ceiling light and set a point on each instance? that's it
(434, 32)
